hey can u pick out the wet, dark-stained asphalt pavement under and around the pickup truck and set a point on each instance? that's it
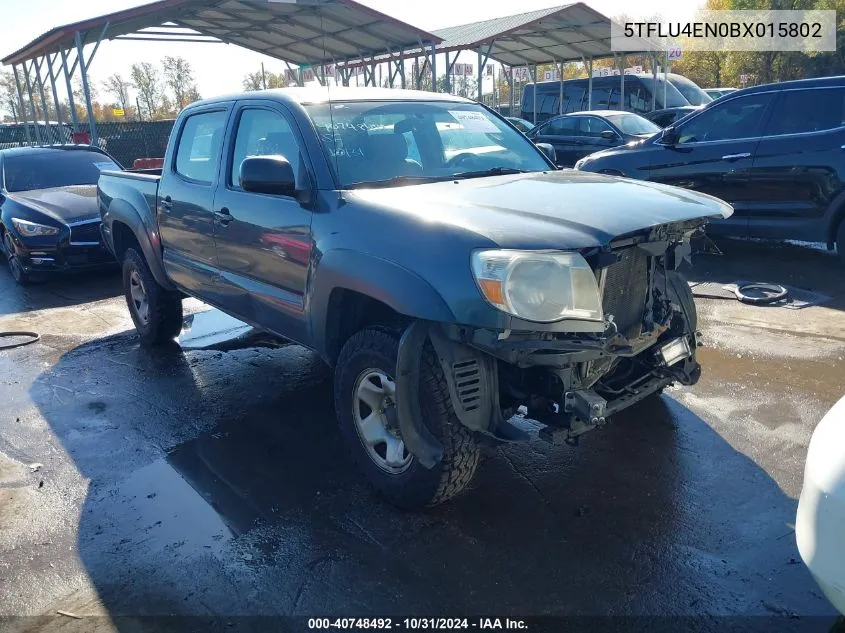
(214, 481)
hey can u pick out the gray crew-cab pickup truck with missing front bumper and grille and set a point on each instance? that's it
(429, 252)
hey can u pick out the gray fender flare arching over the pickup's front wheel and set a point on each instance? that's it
(399, 288)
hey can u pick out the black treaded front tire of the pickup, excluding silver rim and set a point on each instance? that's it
(416, 487)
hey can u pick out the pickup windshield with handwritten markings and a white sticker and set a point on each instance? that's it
(379, 143)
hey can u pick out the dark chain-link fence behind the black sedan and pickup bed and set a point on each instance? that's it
(125, 140)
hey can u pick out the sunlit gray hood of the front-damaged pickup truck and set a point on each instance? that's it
(560, 209)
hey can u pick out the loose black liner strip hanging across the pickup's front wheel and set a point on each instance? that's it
(418, 439)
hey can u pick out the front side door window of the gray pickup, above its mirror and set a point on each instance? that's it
(264, 133)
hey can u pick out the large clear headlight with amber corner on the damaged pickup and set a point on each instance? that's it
(538, 286)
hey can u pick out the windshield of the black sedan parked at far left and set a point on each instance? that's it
(53, 168)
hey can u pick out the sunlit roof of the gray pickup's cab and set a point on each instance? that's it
(323, 95)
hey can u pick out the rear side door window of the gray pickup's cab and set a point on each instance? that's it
(198, 153)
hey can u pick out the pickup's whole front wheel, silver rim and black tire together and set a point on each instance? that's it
(365, 393)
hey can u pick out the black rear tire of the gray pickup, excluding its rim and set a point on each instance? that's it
(165, 306)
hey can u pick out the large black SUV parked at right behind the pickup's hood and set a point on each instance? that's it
(774, 152)
